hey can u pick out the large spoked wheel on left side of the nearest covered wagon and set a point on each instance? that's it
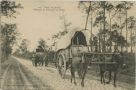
(61, 66)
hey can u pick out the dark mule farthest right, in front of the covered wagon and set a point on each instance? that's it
(109, 68)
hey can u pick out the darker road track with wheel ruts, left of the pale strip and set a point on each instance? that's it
(17, 77)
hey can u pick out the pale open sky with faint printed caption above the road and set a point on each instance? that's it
(41, 18)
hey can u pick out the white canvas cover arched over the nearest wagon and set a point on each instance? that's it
(65, 41)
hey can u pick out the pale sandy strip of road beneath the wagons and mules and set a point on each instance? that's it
(51, 77)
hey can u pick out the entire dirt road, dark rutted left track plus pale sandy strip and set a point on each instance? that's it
(19, 74)
